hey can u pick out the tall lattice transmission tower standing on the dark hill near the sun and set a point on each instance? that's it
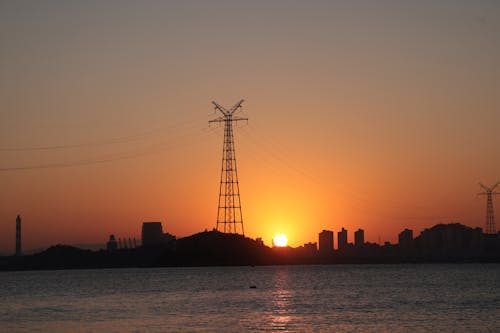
(229, 215)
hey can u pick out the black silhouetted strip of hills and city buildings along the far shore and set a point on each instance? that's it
(452, 242)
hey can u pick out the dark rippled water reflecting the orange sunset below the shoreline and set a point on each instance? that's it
(341, 298)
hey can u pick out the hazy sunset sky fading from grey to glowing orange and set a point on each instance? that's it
(380, 115)
